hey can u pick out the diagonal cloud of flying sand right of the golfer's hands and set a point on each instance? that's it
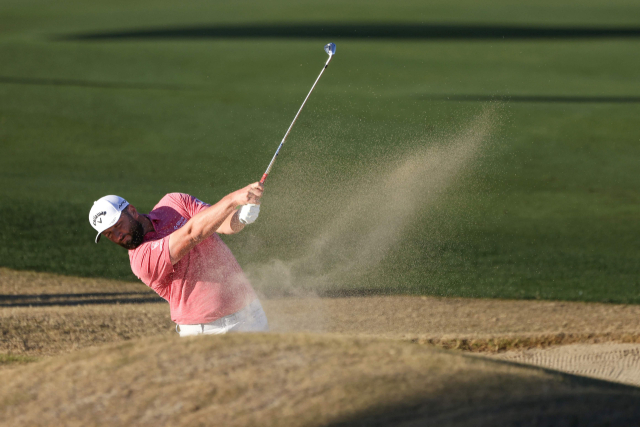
(332, 228)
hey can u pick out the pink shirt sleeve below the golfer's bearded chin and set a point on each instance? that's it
(151, 264)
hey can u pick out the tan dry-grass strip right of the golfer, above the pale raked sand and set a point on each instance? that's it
(457, 320)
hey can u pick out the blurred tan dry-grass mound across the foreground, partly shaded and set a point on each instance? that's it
(298, 380)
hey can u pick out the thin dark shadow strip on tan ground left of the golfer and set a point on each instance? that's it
(100, 298)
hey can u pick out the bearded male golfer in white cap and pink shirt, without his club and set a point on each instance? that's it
(176, 251)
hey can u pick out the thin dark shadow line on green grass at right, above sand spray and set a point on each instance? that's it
(536, 98)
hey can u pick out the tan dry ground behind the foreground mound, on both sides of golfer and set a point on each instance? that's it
(44, 315)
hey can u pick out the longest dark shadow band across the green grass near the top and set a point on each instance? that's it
(361, 31)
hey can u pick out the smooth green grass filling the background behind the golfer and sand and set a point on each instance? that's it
(556, 214)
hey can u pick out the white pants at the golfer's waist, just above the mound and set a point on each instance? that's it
(250, 319)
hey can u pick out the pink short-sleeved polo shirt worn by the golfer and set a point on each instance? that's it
(206, 284)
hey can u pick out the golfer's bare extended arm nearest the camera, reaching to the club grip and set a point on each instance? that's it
(207, 222)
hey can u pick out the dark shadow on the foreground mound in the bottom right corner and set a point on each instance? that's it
(583, 401)
